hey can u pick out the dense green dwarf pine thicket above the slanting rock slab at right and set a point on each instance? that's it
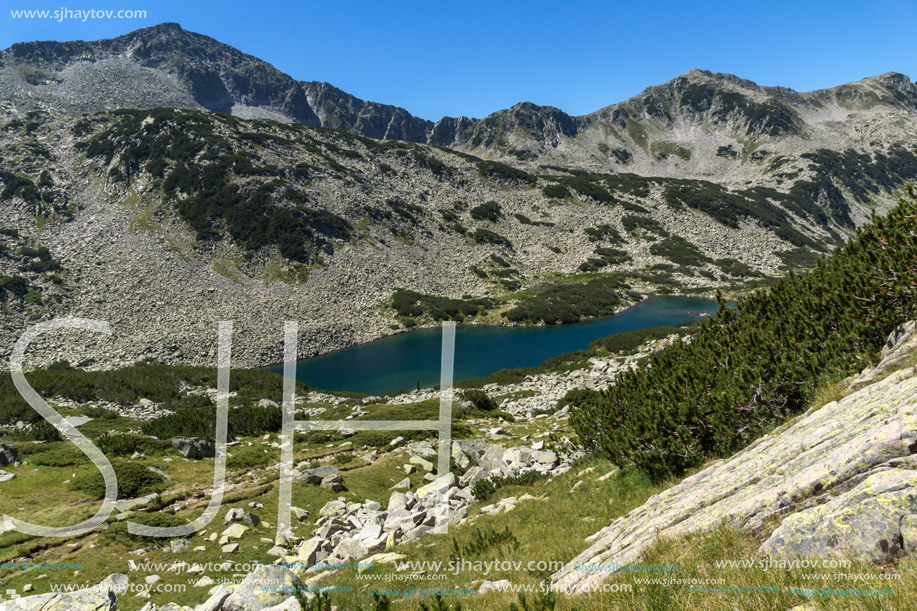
(748, 370)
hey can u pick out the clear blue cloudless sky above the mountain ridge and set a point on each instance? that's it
(473, 58)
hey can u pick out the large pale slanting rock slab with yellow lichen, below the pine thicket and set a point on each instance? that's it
(841, 476)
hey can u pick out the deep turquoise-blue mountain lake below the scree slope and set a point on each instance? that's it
(400, 361)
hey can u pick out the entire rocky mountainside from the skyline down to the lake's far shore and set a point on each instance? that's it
(164, 222)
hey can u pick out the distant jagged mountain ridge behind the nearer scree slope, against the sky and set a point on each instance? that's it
(655, 131)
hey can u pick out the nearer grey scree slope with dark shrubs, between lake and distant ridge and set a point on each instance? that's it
(361, 218)
